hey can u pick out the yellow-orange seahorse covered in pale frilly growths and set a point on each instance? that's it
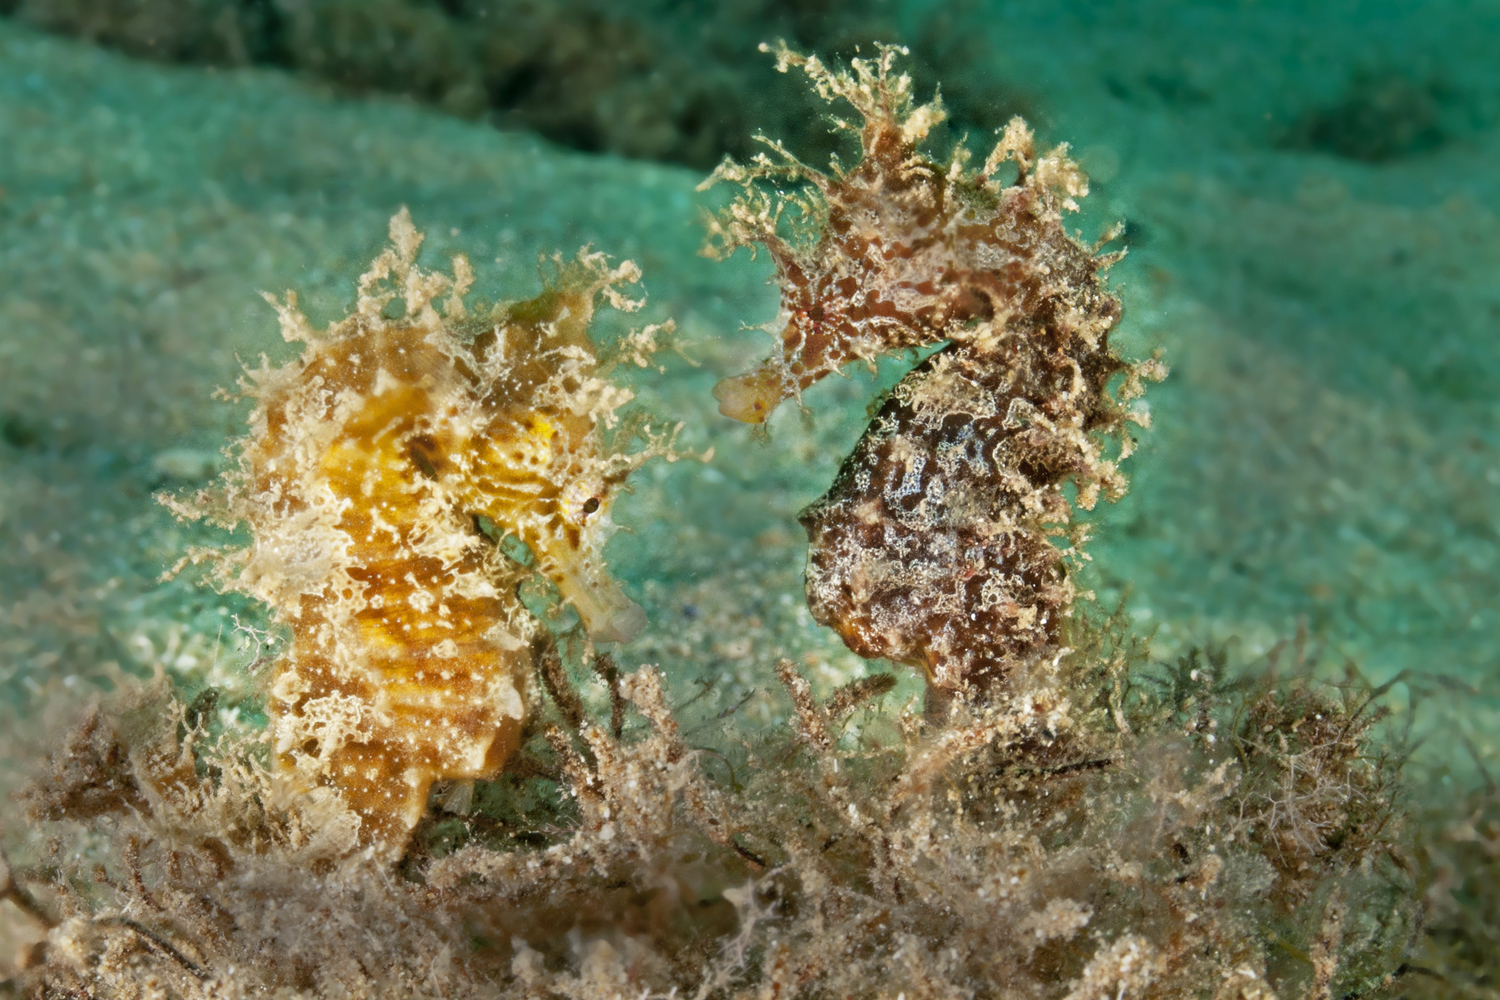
(380, 470)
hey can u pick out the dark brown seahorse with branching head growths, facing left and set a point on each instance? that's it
(937, 545)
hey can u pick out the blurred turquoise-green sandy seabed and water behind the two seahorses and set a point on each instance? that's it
(1312, 197)
